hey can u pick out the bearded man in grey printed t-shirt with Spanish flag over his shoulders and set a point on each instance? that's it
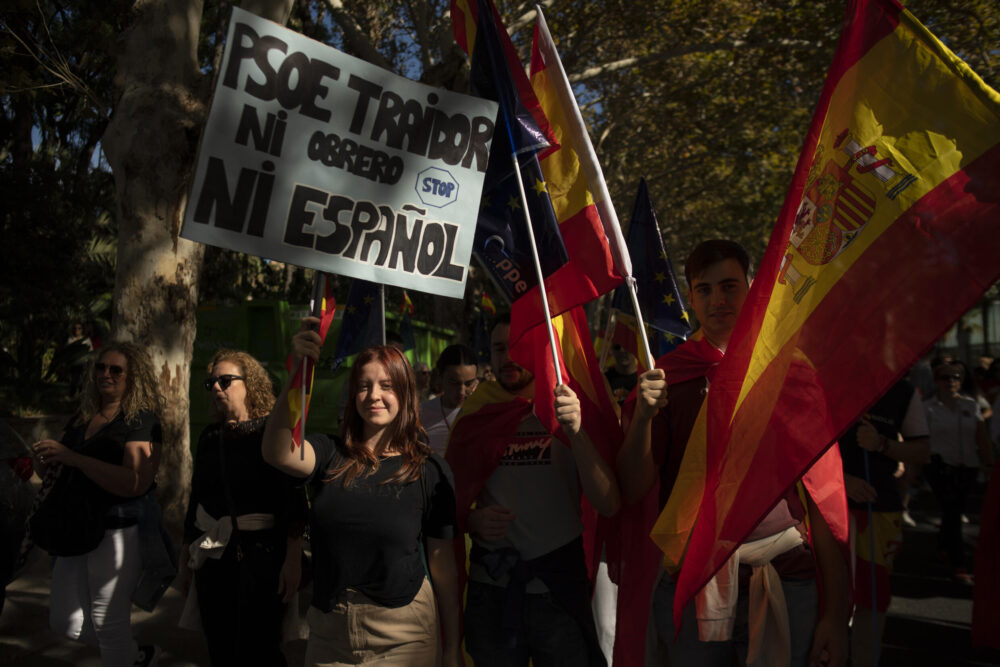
(529, 588)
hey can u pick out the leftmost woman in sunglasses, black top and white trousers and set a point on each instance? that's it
(91, 503)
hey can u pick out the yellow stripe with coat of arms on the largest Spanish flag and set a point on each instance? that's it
(880, 110)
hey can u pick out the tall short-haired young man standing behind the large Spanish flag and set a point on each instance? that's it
(762, 606)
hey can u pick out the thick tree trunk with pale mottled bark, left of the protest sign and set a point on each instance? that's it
(151, 143)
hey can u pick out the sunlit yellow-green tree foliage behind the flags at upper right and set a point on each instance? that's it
(710, 101)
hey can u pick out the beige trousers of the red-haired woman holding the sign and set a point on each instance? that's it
(358, 631)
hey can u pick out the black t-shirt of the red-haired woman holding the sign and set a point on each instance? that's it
(368, 536)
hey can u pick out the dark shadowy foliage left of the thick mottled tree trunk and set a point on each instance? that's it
(55, 220)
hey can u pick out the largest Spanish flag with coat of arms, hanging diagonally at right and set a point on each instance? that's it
(887, 235)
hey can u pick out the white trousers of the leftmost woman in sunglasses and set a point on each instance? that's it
(91, 596)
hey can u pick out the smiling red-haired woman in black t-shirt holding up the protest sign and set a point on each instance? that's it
(381, 499)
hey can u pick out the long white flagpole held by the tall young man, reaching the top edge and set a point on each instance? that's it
(592, 168)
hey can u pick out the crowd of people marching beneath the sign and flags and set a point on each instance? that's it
(434, 517)
